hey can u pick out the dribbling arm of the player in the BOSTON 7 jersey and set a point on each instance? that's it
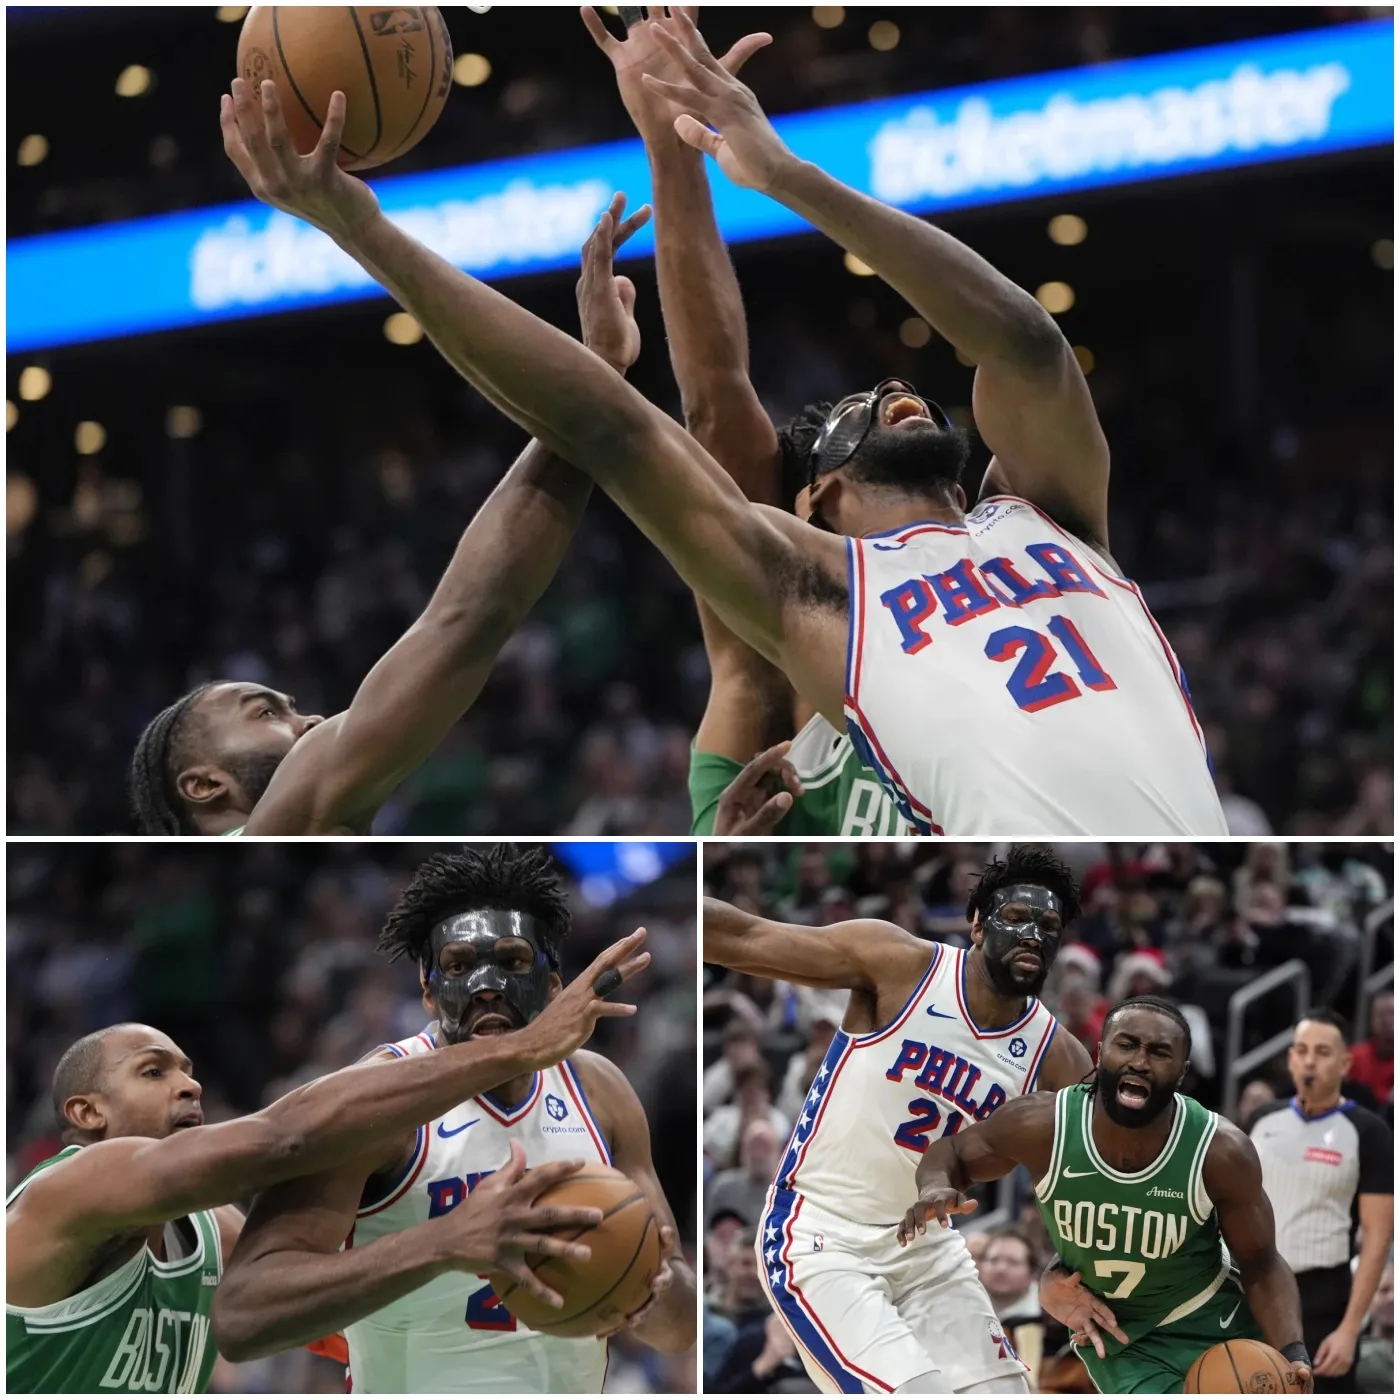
(1235, 1185)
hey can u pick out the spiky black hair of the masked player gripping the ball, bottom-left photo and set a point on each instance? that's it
(521, 880)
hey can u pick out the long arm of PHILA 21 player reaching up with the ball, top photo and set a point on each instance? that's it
(748, 562)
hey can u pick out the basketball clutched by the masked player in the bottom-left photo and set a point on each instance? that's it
(601, 1291)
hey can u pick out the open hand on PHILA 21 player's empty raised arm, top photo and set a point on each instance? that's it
(744, 142)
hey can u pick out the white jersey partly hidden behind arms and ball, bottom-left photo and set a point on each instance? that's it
(453, 1336)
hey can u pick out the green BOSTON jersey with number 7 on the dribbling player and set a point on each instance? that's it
(1149, 1242)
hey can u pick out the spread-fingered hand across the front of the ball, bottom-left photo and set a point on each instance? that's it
(500, 1223)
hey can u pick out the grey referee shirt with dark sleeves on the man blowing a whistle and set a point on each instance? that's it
(1314, 1172)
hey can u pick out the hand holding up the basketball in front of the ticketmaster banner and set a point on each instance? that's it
(311, 187)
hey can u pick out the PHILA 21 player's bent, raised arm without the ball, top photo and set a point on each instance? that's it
(1031, 401)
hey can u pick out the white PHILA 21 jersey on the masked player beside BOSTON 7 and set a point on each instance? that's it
(880, 1100)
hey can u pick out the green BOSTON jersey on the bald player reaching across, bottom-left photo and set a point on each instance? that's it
(143, 1328)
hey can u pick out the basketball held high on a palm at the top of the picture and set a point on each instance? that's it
(394, 66)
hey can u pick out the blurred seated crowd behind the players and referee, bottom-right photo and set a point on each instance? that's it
(1189, 923)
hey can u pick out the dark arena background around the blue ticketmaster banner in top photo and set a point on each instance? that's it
(1244, 366)
